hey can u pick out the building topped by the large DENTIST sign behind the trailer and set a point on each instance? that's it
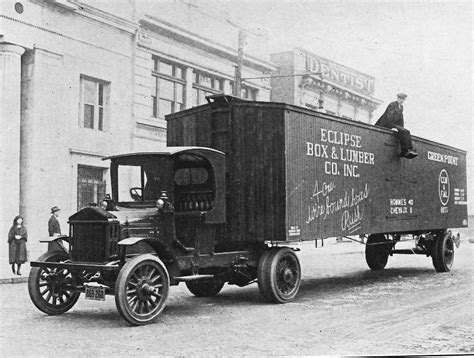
(308, 80)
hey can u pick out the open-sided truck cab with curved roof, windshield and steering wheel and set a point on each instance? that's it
(173, 198)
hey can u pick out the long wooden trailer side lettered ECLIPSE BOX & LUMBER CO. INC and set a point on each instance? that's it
(346, 178)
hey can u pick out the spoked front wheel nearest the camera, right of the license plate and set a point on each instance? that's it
(141, 289)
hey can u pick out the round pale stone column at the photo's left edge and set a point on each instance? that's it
(10, 113)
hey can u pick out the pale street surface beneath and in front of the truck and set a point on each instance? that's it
(342, 308)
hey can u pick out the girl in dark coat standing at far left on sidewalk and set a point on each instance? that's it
(17, 237)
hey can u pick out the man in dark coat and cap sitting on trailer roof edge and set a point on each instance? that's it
(393, 119)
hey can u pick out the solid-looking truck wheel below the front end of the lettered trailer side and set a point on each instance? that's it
(279, 275)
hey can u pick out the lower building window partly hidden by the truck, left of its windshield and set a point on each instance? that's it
(91, 186)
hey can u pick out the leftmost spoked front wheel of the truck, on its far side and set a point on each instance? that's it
(50, 288)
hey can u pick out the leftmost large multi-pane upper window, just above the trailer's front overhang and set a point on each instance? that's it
(167, 90)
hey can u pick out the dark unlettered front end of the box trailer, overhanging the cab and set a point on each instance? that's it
(252, 136)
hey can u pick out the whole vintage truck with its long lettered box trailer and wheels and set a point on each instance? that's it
(238, 183)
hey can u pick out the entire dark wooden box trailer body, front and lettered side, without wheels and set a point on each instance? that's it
(293, 174)
